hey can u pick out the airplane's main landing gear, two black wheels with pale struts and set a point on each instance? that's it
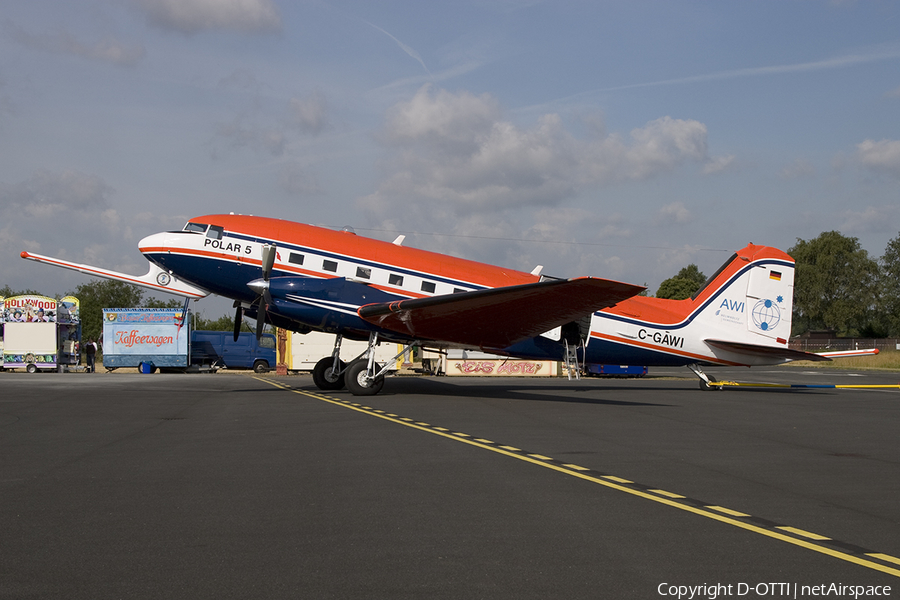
(362, 376)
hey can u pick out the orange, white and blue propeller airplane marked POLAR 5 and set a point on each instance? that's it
(305, 278)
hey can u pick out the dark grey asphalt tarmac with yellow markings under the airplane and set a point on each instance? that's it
(244, 486)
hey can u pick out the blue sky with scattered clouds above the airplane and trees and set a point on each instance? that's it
(609, 138)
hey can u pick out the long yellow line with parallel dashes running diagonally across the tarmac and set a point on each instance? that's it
(572, 471)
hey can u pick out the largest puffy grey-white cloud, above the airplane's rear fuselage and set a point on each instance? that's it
(454, 149)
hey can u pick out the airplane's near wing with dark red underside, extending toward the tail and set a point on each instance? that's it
(498, 317)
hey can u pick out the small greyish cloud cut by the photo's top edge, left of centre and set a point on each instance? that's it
(192, 16)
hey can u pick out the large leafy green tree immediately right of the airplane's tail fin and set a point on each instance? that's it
(835, 284)
